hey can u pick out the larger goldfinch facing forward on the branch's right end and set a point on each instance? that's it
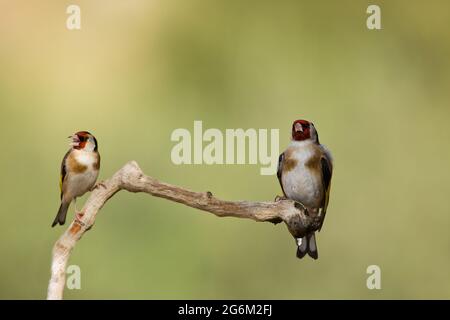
(304, 173)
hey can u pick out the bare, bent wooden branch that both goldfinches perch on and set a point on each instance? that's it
(131, 178)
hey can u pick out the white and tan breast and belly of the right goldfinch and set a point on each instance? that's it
(303, 181)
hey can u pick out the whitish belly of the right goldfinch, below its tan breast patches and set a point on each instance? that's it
(303, 185)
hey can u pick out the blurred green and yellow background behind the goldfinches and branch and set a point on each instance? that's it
(137, 70)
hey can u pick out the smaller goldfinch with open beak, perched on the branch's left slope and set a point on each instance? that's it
(79, 171)
